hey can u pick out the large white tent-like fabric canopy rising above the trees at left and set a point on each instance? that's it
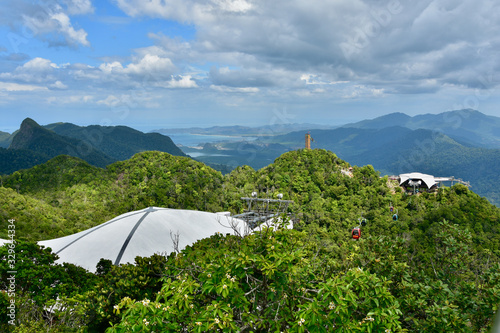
(139, 233)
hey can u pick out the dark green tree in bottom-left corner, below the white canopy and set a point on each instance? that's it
(42, 290)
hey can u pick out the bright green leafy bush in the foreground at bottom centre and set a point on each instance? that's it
(271, 281)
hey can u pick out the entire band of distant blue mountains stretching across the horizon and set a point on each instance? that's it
(462, 143)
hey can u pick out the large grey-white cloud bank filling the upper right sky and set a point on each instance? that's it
(388, 41)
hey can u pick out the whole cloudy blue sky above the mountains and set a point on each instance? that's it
(183, 63)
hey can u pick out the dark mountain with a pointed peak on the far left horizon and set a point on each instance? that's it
(33, 144)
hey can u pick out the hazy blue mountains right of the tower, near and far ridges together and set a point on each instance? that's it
(464, 144)
